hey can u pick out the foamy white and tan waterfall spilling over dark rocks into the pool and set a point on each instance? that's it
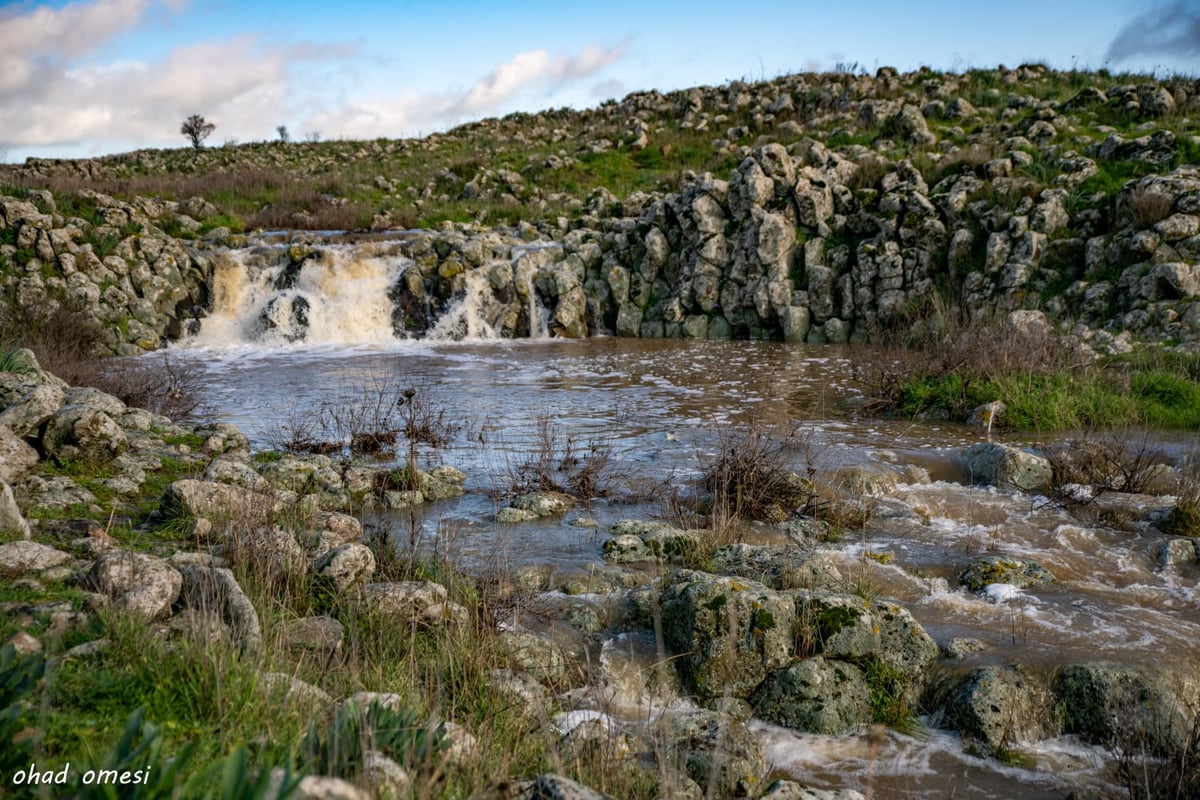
(367, 293)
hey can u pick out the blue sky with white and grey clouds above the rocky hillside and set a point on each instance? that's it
(98, 77)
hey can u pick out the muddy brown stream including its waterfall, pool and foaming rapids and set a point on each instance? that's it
(274, 351)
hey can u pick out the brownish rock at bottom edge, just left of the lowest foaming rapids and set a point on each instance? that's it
(718, 751)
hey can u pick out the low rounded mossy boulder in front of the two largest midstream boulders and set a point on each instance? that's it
(815, 696)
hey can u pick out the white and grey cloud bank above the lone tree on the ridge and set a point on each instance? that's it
(56, 92)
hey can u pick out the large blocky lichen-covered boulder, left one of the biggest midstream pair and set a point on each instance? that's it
(729, 633)
